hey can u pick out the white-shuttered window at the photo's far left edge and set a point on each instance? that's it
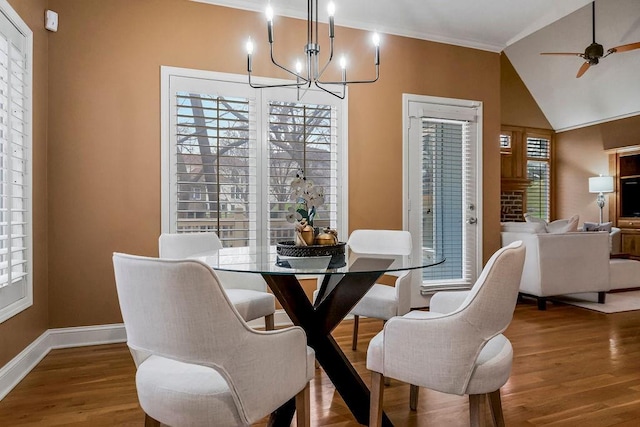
(16, 50)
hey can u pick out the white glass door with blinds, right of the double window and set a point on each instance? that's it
(442, 184)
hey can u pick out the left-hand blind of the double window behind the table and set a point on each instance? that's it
(215, 166)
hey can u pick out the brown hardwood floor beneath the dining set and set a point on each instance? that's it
(572, 367)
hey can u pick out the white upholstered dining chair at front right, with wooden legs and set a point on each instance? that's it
(457, 347)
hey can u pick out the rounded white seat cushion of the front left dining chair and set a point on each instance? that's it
(184, 394)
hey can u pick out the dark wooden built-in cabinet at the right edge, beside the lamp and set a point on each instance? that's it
(627, 199)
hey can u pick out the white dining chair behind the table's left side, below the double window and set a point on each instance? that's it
(247, 291)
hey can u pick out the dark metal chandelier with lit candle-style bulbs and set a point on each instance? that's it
(311, 73)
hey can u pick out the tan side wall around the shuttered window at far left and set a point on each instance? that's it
(19, 331)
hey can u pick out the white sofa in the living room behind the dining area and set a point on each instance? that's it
(563, 263)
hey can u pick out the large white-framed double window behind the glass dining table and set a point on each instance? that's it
(230, 153)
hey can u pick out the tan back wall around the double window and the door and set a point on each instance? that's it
(104, 104)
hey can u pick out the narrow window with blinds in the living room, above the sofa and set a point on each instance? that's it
(538, 173)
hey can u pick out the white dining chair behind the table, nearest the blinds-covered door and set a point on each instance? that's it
(382, 301)
